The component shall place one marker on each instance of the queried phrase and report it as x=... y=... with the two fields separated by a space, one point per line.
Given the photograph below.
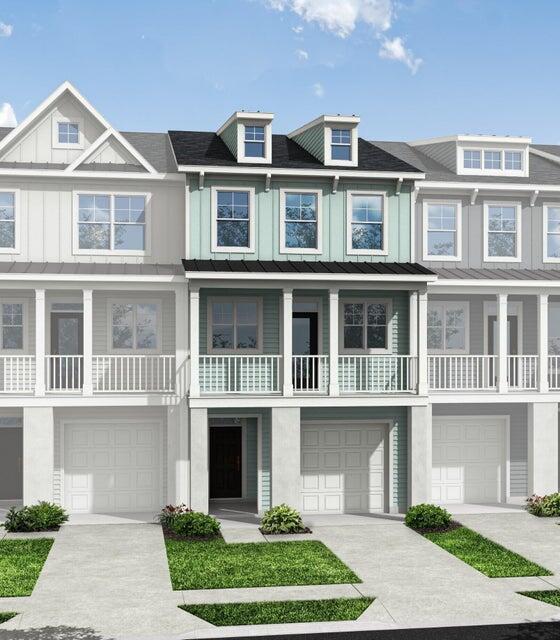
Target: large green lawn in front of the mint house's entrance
x=213 y=564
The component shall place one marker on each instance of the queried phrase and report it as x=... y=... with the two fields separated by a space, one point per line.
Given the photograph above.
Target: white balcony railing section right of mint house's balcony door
x=377 y=374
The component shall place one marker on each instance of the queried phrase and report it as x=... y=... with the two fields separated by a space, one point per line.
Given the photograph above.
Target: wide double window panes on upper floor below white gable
x=108 y=223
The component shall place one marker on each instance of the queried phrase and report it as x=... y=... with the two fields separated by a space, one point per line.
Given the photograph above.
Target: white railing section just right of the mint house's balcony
x=462 y=373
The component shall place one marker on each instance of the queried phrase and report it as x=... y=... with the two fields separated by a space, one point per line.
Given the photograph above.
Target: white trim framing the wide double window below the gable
x=112 y=252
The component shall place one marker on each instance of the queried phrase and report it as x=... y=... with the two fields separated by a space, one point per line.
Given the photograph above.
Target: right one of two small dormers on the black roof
x=331 y=139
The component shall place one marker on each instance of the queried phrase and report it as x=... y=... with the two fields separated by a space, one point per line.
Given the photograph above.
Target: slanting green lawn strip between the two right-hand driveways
x=485 y=555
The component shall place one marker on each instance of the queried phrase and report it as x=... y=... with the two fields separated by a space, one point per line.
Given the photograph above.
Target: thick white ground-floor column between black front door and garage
x=285 y=457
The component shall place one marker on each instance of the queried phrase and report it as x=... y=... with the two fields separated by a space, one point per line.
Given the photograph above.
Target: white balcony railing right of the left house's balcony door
x=133 y=374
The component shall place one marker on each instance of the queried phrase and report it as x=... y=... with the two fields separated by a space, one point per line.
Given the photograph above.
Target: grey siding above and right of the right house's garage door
x=518 y=435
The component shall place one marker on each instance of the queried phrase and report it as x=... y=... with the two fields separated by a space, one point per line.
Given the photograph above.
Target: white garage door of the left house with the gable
x=112 y=467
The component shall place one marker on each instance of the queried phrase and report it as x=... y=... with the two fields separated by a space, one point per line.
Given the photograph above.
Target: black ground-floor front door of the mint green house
x=225 y=462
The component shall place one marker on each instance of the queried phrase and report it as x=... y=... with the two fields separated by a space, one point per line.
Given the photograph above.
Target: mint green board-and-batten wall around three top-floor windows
x=267 y=219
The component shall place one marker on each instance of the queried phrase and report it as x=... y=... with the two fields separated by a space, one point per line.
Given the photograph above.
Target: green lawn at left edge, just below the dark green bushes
x=21 y=562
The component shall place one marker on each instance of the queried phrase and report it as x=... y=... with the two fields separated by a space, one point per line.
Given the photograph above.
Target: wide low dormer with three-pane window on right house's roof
x=480 y=155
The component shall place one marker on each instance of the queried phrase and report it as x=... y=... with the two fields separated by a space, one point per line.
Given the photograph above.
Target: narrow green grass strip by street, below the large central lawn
x=241 y=613
